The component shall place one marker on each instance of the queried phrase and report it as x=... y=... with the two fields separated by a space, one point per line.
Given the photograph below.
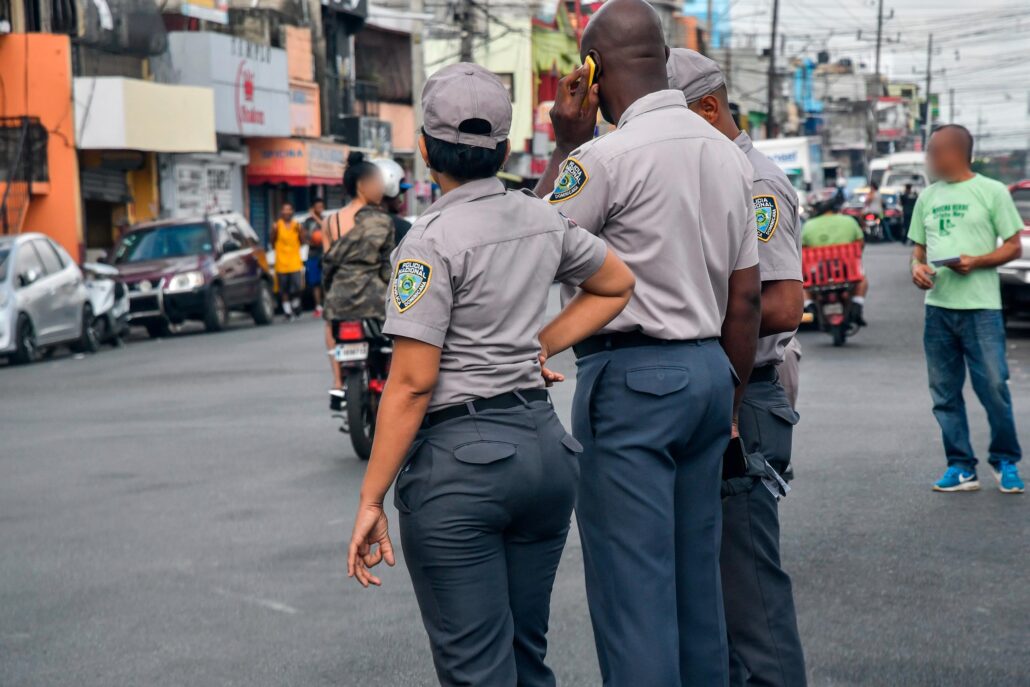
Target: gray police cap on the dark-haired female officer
x=466 y=92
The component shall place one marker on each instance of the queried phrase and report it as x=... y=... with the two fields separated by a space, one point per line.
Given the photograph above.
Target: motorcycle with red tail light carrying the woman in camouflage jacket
x=364 y=355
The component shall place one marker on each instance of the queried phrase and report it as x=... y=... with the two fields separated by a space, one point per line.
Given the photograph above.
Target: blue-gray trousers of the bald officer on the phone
x=655 y=423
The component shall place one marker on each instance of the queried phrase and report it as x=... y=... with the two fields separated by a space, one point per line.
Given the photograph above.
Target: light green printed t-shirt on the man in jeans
x=965 y=219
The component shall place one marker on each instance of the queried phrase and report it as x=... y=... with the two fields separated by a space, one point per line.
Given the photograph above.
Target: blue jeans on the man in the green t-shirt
x=955 y=339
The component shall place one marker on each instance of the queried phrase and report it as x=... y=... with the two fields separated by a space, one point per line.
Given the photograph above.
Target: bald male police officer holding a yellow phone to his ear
x=655 y=403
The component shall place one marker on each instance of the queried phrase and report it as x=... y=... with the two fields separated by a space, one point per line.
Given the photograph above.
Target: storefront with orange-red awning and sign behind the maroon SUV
x=293 y=170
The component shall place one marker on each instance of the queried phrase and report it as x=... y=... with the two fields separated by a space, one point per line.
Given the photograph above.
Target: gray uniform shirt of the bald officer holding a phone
x=672 y=197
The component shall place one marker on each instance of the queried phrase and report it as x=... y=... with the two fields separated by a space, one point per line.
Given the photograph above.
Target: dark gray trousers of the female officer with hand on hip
x=486 y=505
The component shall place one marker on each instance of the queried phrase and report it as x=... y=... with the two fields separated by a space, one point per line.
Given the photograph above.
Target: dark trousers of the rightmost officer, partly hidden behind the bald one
x=765 y=646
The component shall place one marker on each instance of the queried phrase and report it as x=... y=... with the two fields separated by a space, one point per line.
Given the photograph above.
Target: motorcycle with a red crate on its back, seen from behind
x=832 y=276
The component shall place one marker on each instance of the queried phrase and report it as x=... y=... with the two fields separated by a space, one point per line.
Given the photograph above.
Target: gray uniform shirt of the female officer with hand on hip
x=472 y=278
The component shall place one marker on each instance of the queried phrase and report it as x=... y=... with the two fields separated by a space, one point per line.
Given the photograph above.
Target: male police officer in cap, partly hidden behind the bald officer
x=764 y=641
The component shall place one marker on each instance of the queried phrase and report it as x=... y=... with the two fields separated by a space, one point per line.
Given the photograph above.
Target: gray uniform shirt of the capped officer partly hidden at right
x=779 y=229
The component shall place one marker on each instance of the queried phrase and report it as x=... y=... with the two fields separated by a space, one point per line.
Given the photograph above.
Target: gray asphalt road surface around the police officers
x=175 y=514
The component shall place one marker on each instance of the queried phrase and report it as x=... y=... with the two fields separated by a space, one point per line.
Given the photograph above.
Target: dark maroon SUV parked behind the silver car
x=194 y=269
